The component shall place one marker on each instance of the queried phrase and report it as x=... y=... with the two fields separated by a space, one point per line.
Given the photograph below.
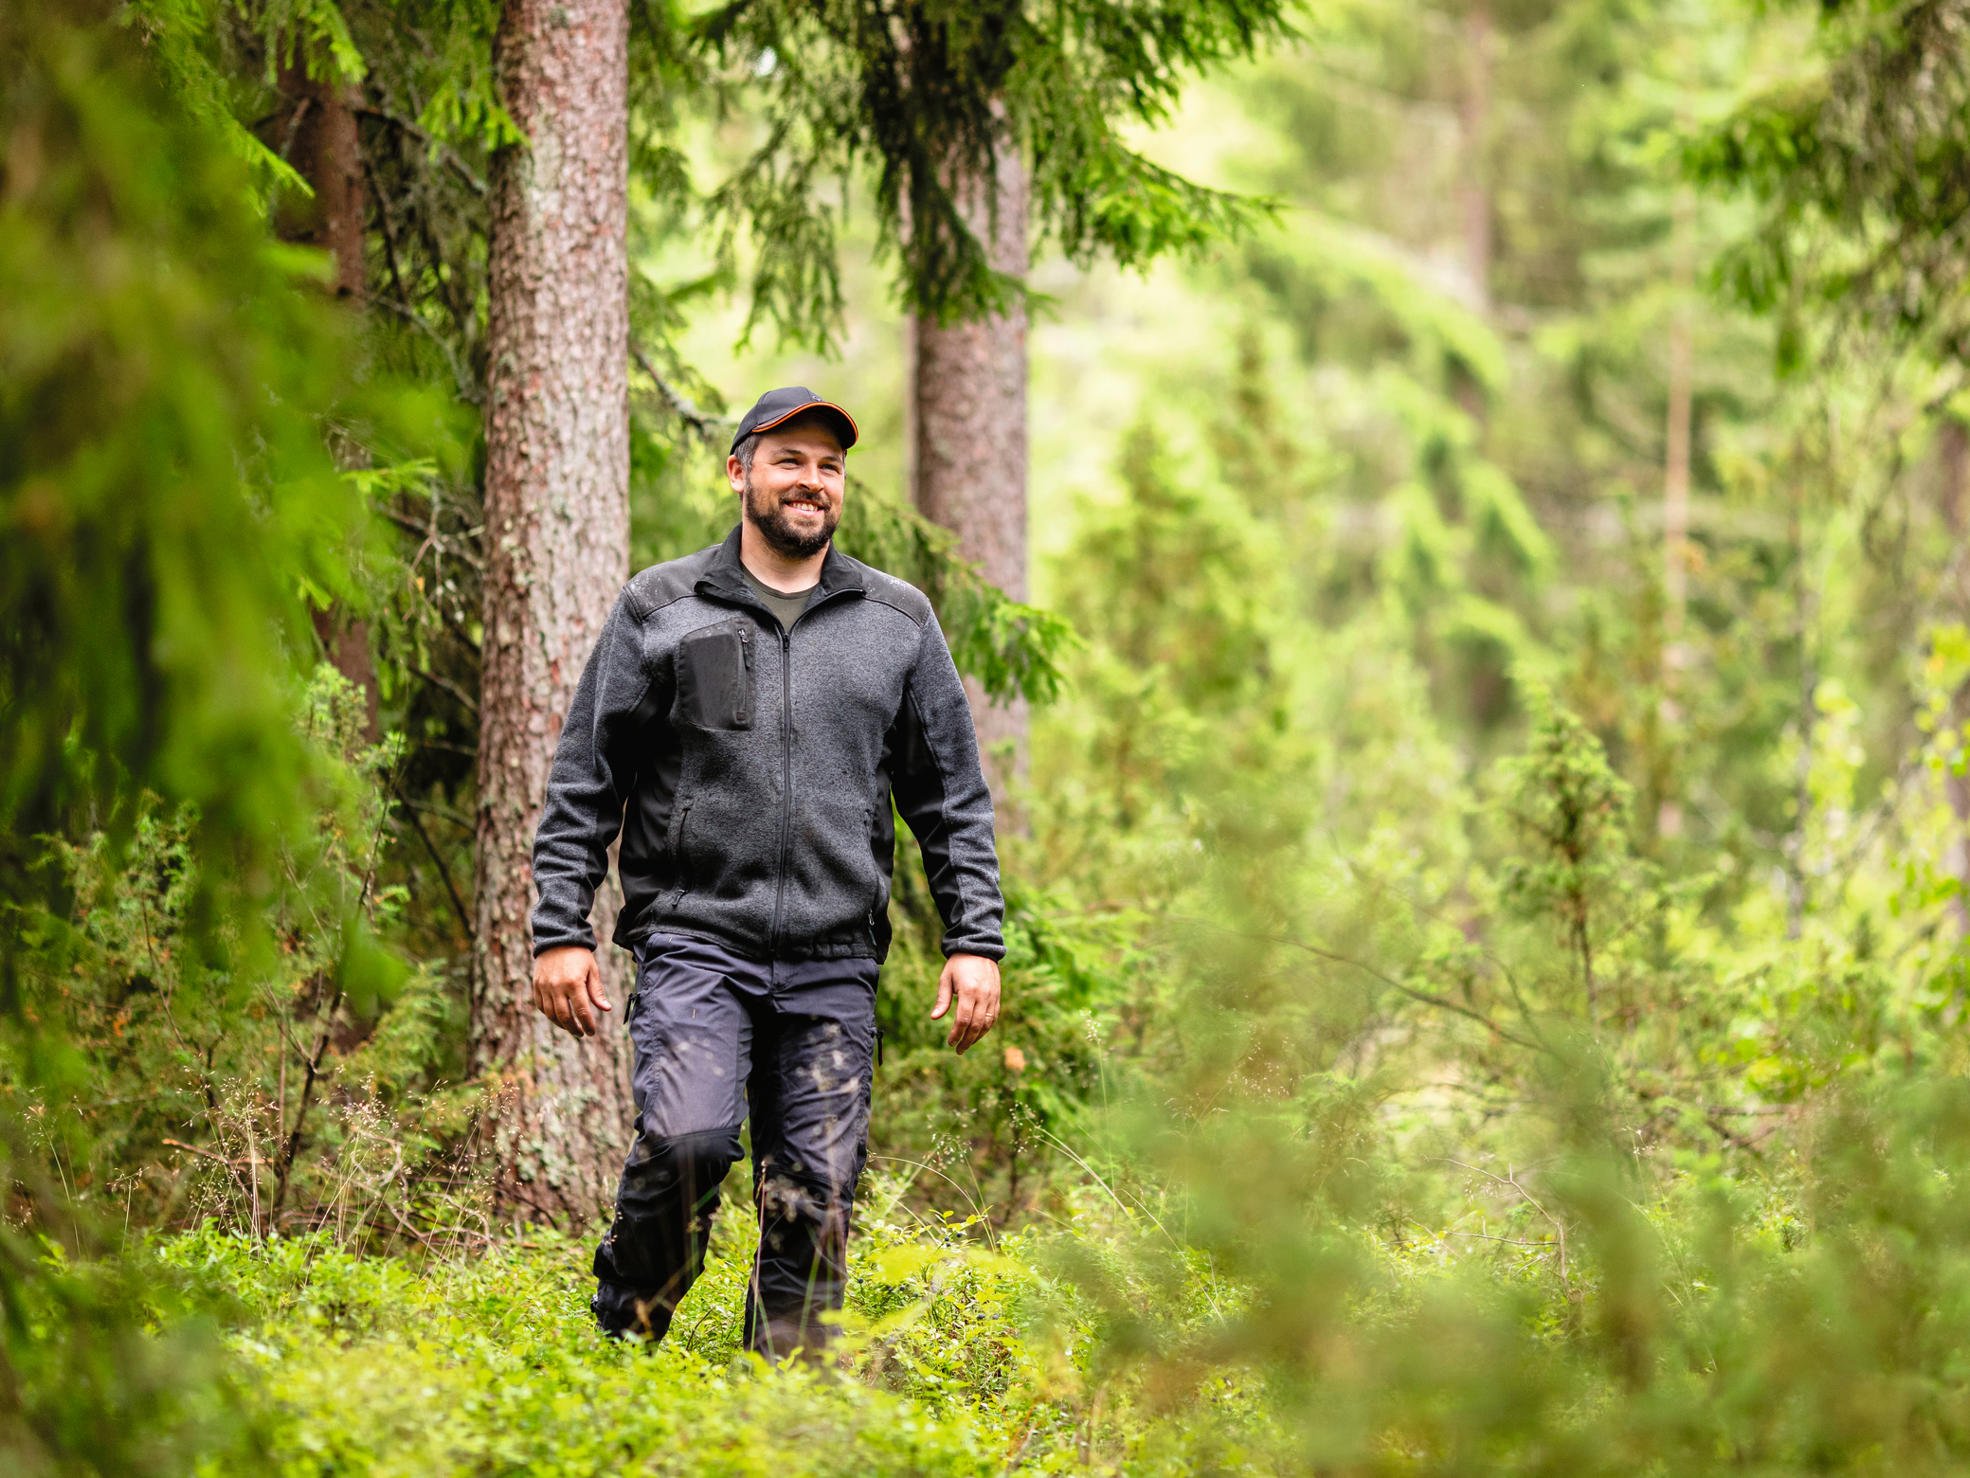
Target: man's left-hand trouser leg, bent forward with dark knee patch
x=692 y=1036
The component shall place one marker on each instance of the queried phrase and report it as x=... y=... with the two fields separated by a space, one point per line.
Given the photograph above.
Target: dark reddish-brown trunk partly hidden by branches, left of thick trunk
x=324 y=147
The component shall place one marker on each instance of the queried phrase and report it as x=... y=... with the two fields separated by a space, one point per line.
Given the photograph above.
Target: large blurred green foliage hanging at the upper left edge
x=164 y=486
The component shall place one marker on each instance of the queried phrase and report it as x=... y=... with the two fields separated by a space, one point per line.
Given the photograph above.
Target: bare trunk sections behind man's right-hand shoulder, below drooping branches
x=968 y=421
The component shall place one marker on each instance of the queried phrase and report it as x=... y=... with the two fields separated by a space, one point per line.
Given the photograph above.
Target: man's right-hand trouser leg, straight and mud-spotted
x=813 y=1061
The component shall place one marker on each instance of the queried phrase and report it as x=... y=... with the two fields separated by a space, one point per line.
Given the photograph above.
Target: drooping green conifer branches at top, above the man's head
x=937 y=94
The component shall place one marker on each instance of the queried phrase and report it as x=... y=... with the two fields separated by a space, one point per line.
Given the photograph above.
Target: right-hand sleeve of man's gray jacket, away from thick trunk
x=941 y=791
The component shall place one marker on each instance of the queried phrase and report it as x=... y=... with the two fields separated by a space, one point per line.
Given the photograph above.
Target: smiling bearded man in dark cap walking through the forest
x=746 y=720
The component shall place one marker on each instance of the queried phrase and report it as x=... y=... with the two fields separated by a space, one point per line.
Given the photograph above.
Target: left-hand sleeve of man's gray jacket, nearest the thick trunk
x=592 y=775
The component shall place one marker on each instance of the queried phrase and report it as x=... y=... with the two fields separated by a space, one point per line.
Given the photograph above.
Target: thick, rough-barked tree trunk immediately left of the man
x=557 y=505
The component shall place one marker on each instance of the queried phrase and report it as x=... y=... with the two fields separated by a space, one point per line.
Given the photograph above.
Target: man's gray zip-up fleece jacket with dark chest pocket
x=752 y=770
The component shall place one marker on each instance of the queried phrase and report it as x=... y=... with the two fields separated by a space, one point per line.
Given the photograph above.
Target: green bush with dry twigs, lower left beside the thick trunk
x=208 y=1085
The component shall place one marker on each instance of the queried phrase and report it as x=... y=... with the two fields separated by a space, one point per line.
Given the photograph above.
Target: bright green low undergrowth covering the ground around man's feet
x=954 y=1359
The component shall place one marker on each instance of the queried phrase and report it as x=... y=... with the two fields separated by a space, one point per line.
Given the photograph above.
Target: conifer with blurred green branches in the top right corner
x=1861 y=163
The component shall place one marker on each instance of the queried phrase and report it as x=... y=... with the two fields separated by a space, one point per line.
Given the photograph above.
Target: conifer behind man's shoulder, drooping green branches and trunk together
x=988 y=129
